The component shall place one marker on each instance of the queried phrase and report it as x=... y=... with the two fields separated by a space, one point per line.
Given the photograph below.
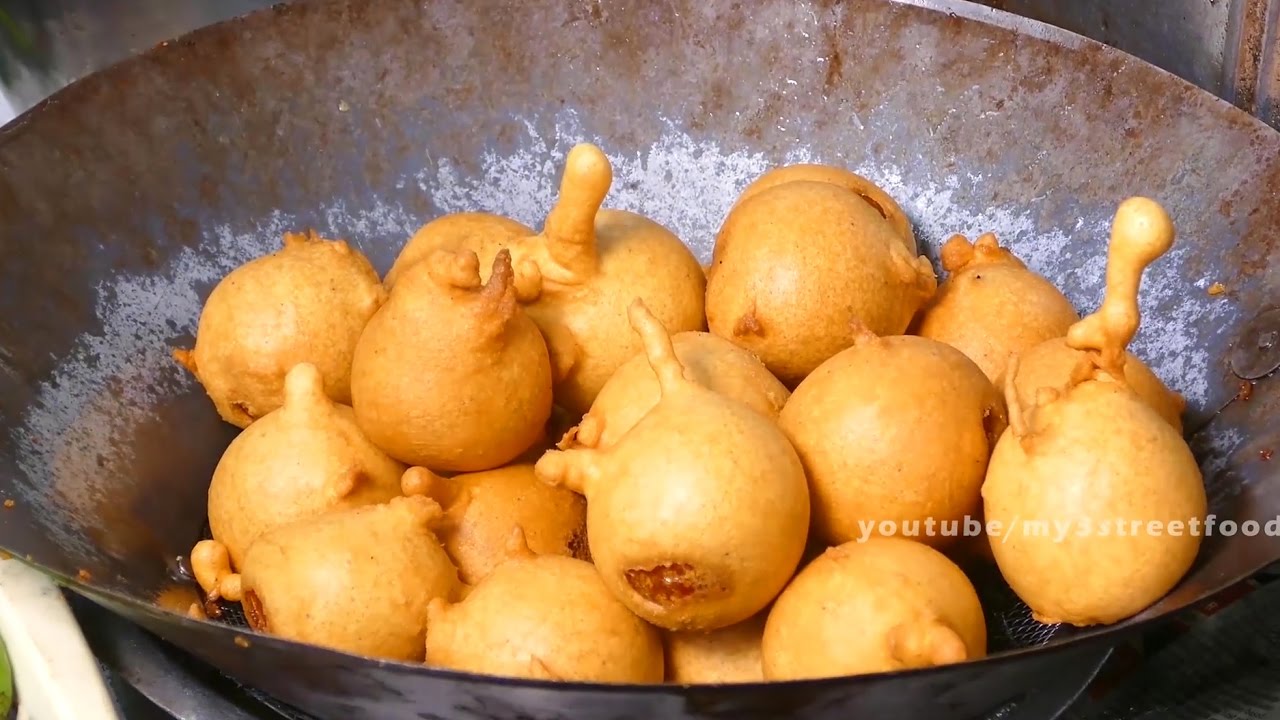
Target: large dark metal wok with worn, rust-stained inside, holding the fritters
x=127 y=195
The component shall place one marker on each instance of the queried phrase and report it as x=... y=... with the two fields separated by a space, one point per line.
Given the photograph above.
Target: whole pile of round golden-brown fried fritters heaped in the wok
x=577 y=454
